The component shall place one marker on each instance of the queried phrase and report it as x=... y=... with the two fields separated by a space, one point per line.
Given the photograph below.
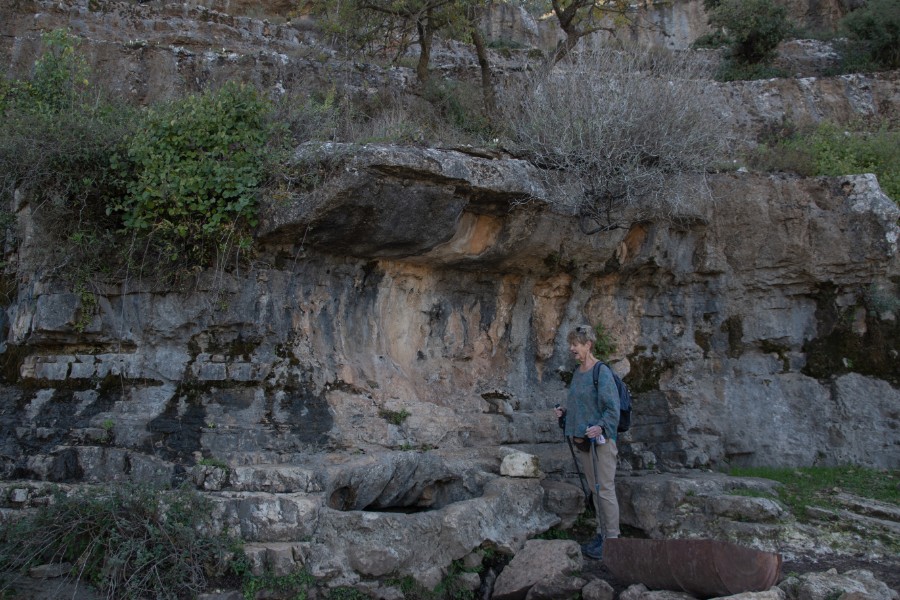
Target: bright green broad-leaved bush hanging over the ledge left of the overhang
x=192 y=171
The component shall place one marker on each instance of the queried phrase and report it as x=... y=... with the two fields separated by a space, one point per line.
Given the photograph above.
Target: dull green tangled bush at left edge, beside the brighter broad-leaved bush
x=57 y=135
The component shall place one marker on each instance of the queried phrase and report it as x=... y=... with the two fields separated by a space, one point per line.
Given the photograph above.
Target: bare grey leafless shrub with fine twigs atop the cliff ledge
x=620 y=134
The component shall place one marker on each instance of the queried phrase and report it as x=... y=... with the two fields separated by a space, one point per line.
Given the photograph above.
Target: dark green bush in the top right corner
x=875 y=31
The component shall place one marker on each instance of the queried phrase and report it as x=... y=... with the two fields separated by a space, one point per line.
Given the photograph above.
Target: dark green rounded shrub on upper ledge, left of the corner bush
x=752 y=28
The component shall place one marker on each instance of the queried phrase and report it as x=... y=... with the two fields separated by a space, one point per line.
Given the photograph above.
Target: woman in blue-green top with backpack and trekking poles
x=591 y=421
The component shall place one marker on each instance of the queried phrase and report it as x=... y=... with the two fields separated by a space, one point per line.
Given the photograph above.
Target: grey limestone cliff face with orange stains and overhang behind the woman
x=441 y=286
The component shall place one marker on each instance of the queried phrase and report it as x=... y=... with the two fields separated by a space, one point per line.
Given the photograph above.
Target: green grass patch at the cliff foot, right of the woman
x=817 y=486
